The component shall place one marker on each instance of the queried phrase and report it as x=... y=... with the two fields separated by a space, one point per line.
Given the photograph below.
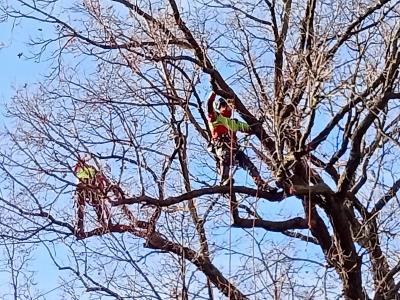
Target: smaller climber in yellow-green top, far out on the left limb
x=92 y=189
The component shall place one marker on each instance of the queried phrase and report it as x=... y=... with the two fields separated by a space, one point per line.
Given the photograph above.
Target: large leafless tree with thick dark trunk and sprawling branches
x=317 y=81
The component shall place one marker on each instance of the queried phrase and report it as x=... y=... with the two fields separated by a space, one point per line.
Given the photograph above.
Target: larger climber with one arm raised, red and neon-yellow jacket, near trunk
x=223 y=131
